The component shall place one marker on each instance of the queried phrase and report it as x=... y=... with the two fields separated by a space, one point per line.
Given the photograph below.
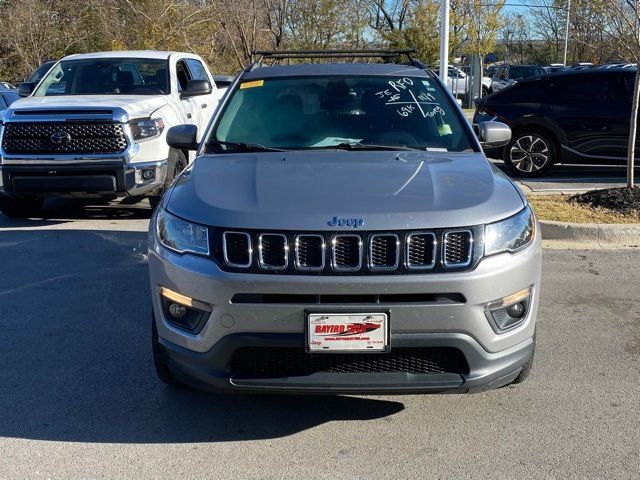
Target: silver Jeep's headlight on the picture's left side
x=181 y=236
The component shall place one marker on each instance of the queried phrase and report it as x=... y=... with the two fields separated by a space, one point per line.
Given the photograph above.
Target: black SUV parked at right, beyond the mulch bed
x=568 y=117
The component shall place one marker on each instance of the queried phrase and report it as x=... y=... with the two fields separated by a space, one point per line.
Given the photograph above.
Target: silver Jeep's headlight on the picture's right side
x=510 y=235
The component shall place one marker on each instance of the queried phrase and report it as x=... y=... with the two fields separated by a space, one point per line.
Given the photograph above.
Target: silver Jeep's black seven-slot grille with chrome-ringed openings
x=337 y=253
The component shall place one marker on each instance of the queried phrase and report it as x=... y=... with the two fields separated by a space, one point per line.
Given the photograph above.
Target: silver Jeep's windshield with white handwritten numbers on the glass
x=334 y=112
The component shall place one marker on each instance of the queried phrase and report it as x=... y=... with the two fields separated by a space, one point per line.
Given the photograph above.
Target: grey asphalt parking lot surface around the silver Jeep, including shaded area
x=79 y=397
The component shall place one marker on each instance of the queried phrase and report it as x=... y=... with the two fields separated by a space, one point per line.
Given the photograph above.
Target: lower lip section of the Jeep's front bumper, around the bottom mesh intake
x=210 y=370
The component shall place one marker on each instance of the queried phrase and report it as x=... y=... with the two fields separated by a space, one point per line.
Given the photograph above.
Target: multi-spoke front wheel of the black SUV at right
x=530 y=153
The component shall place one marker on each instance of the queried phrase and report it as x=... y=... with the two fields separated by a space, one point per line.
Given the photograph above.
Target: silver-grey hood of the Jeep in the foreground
x=303 y=190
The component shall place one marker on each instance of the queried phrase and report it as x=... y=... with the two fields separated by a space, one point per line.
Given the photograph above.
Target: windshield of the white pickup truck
x=106 y=76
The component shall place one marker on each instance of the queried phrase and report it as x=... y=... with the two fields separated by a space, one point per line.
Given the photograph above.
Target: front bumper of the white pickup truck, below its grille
x=83 y=179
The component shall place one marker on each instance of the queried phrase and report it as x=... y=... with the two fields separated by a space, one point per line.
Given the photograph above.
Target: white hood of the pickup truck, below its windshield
x=134 y=105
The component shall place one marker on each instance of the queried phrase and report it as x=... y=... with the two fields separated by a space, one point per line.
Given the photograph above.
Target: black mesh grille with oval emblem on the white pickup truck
x=63 y=137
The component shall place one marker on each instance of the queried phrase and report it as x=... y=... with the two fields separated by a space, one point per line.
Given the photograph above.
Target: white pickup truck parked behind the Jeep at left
x=95 y=126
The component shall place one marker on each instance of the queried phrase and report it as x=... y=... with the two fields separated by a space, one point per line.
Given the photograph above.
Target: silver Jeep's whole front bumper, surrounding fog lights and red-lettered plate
x=203 y=359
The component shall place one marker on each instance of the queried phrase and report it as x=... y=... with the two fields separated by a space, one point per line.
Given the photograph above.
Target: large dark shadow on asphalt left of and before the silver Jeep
x=75 y=354
